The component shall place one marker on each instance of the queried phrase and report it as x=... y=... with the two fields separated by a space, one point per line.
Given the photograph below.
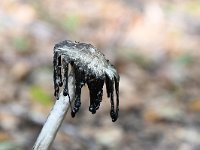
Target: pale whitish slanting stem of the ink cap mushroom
x=55 y=118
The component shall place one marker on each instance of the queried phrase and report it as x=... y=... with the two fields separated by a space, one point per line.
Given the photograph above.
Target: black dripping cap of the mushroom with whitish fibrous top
x=90 y=67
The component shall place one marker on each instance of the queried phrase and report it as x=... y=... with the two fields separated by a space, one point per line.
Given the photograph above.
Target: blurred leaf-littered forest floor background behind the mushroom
x=154 y=44
